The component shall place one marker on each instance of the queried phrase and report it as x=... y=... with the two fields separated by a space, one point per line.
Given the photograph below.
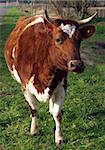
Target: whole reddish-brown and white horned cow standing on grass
x=40 y=52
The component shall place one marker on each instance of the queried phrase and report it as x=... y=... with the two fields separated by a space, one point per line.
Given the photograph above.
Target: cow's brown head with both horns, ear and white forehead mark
x=66 y=39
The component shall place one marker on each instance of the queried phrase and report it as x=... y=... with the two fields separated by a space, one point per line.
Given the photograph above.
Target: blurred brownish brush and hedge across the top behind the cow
x=63 y=8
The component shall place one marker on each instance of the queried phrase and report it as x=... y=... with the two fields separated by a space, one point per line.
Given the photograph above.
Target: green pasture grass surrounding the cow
x=83 y=114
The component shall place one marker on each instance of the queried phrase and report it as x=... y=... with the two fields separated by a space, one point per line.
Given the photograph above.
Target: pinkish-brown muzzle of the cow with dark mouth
x=76 y=66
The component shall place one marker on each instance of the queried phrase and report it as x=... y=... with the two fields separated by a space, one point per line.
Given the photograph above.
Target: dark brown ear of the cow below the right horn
x=87 y=31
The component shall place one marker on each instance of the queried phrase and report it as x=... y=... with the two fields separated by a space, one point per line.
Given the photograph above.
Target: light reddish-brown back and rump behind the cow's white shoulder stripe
x=14 y=37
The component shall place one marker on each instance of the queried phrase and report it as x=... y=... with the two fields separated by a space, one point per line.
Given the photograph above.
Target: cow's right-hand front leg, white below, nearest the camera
x=56 y=103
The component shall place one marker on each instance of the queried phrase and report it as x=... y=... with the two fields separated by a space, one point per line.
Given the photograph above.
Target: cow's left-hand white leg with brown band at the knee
x=32 y=102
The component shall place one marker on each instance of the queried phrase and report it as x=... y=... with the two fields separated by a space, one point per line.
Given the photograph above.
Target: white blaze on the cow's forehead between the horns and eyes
x=69 y=29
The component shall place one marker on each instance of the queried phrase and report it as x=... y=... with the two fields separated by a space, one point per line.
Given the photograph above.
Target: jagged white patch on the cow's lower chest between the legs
x=44 y=97
